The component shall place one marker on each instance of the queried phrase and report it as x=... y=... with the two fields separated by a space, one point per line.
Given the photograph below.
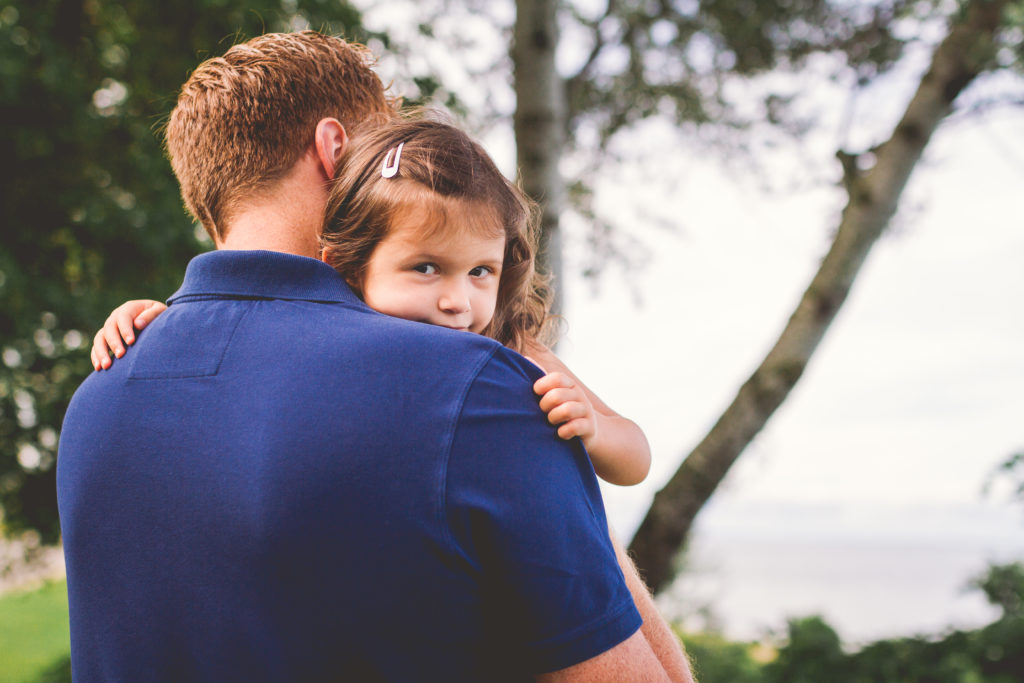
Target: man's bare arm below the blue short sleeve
x=654 y=654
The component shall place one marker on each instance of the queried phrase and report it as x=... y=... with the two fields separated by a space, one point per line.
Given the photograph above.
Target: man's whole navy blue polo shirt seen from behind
x=279 y=484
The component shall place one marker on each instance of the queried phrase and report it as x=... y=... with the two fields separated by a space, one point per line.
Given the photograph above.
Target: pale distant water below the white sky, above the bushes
x=891 y=572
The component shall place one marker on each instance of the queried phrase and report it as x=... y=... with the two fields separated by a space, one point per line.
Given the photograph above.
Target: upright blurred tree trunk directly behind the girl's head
x=540 y=124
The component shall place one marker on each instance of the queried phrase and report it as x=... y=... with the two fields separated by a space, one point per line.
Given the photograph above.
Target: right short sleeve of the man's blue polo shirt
x=526 y=511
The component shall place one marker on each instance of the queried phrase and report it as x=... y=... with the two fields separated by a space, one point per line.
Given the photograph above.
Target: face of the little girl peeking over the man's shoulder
x=442 y=275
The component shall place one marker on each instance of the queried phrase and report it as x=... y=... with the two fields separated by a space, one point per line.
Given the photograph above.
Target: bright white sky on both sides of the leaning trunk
x=916 y=393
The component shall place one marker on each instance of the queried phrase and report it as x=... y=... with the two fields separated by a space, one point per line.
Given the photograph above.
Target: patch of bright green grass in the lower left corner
x=34 y=634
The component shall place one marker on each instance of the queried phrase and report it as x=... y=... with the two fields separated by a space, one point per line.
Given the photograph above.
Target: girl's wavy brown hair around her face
x=438 y=161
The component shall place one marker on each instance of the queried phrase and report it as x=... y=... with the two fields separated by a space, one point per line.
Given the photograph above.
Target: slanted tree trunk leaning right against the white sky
x=873 y=200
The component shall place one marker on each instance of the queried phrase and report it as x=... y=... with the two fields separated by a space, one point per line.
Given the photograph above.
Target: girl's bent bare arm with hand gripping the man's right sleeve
x=617 y=446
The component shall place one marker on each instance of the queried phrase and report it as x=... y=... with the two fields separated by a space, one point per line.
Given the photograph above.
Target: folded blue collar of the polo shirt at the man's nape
x=263 y=275
